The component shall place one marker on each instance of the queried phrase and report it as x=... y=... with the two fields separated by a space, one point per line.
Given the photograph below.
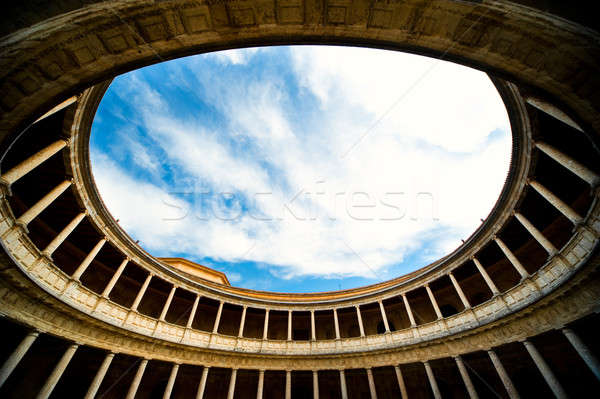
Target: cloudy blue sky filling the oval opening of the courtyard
x=303 y=168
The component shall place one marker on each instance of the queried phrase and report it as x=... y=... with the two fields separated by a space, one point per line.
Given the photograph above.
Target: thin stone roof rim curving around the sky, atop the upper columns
x=502 y=209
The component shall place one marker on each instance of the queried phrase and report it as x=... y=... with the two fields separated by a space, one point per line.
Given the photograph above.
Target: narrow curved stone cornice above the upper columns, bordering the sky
x=503 y=210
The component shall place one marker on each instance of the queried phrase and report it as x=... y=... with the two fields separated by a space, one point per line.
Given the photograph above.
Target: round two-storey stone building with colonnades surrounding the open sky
x=87 y=313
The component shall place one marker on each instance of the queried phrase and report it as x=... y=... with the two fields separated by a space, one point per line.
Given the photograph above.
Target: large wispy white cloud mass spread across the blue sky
x=429 y=158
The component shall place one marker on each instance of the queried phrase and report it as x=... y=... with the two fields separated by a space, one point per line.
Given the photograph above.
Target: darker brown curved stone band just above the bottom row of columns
x=572 y=300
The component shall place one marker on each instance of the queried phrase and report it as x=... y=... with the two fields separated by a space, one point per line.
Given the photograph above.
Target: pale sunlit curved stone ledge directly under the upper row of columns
x=550 y=276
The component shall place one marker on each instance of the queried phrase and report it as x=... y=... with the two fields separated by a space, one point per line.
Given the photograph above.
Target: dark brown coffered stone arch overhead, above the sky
x=57 y=57
